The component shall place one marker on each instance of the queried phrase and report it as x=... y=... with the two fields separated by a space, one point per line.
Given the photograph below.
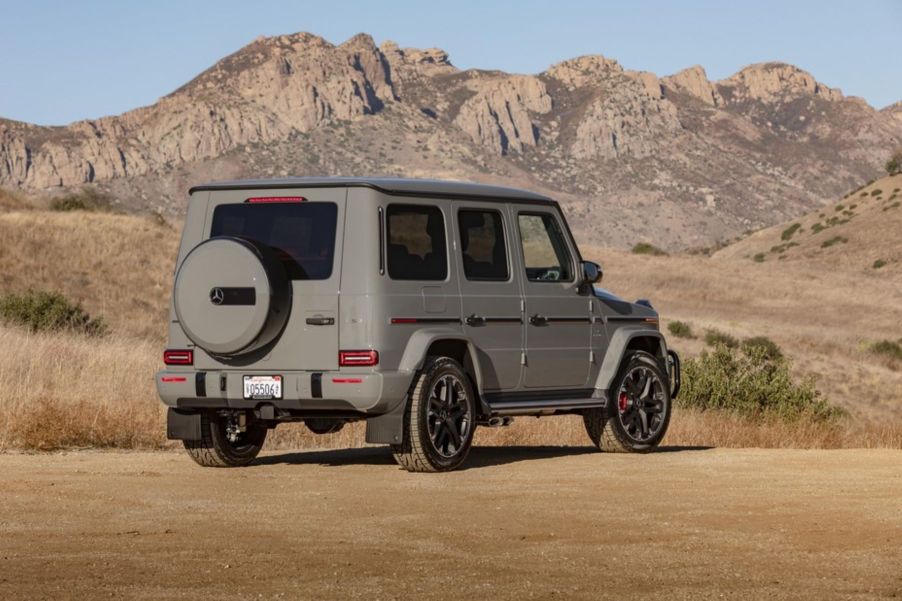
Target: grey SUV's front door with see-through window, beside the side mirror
x=558 y=324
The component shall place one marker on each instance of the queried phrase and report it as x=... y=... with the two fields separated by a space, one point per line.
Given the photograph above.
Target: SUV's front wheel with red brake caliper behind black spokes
x=639 y=417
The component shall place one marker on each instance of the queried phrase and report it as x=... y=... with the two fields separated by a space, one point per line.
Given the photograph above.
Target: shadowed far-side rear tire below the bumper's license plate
x=215 y=450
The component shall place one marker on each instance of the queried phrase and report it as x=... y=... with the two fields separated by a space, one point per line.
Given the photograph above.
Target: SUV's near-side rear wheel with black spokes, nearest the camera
x=439 y=420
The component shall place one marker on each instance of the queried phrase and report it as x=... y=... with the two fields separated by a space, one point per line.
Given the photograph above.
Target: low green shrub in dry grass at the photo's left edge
x=49 y=311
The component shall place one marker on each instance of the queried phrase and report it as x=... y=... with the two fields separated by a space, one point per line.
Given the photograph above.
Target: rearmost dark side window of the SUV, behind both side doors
x=417 y=249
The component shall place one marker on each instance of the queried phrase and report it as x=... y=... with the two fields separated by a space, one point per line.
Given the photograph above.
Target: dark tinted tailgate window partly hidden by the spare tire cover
x=302 y=234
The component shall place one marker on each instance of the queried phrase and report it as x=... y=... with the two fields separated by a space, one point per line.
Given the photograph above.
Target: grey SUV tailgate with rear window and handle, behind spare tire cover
x=305 y=227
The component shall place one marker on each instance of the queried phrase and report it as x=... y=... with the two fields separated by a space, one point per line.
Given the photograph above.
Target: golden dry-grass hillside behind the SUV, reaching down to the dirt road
x=824 y=308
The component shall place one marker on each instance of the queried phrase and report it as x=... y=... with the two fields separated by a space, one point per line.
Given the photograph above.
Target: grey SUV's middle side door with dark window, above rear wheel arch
x=491 y=298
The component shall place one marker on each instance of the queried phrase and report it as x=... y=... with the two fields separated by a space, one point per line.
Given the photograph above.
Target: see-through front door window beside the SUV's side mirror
x=545 y=253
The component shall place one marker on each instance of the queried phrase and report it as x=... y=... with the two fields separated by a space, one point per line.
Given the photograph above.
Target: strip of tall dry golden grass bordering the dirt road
x=68 y=391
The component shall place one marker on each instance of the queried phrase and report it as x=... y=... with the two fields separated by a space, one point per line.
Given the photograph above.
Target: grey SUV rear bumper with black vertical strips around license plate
x=371 y=393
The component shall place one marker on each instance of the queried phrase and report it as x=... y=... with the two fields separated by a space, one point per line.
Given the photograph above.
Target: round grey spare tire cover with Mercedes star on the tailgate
x=232 y=296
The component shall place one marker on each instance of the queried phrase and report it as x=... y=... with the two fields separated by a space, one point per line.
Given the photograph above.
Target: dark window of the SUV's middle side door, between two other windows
x=482 y=245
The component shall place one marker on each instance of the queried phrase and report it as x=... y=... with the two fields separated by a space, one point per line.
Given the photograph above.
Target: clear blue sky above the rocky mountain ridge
x=69 y=60
